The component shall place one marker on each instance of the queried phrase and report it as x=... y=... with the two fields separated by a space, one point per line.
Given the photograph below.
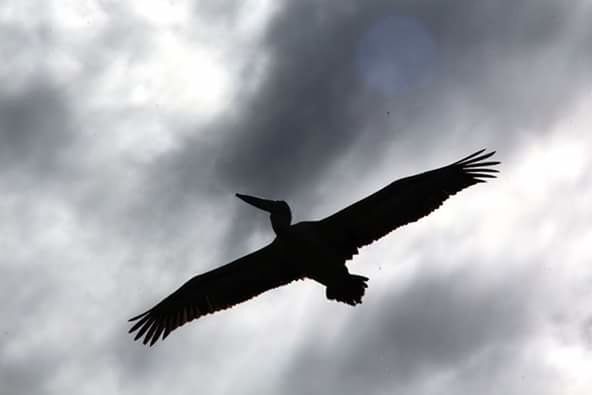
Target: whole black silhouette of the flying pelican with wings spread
x=314 y=250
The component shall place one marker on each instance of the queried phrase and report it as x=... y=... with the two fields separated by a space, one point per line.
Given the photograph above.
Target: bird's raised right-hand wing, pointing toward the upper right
x=404 y=201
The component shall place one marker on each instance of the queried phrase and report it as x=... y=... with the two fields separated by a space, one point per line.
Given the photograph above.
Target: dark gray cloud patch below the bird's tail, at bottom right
x=440 y=322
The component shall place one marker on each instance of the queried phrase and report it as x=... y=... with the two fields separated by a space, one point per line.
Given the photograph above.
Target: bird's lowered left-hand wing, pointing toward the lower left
x=217 y=290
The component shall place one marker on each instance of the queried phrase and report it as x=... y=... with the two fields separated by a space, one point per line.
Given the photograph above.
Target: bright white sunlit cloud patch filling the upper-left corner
x=157 y=60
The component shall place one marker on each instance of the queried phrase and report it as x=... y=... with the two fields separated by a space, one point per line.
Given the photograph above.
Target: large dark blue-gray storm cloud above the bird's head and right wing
x=497 y=68
